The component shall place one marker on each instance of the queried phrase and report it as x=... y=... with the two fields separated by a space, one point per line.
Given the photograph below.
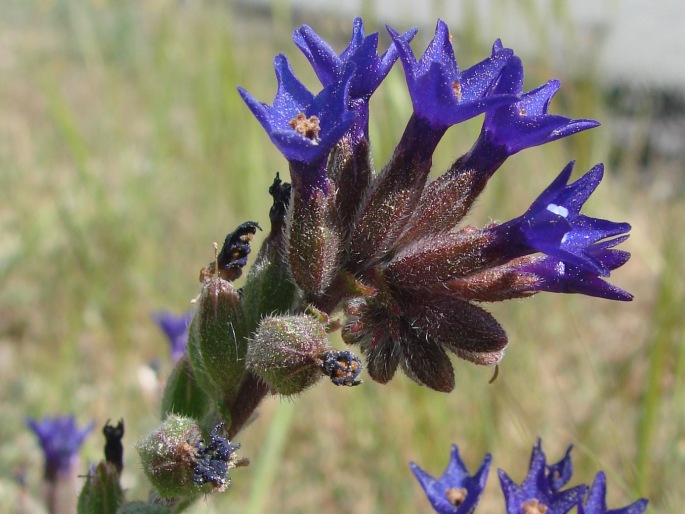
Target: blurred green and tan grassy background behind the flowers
x=125 y=151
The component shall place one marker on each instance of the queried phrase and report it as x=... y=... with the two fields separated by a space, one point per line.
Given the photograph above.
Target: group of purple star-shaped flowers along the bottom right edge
x=458 y=492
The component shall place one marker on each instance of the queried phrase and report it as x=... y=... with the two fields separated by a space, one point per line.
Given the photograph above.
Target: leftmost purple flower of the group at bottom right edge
x=456 y=491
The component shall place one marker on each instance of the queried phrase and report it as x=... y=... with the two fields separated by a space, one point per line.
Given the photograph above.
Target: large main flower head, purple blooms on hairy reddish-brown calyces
x=388 y=246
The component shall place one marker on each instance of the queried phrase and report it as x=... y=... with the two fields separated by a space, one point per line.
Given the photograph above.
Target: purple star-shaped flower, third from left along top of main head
x=443 y=94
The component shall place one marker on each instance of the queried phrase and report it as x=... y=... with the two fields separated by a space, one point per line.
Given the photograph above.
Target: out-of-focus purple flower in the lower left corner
x=60 y=439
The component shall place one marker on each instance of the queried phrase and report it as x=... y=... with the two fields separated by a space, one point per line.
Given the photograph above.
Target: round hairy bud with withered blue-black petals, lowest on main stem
x=178 y=462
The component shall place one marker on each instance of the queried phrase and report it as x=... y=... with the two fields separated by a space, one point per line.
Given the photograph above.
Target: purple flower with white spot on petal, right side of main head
x=554 y=226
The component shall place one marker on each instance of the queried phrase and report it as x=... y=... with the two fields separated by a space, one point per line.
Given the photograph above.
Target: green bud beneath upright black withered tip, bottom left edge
x=102 y=491
